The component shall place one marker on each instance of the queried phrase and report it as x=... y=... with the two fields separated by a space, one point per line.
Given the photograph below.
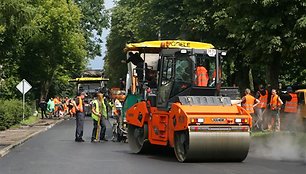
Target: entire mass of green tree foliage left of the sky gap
x=47 y=42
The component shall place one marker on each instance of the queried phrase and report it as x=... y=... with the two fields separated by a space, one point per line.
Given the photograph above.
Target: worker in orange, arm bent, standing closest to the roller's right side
x=249 y=103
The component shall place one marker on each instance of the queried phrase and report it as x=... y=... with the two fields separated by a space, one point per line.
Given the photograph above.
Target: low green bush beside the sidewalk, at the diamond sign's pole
x=11 y=113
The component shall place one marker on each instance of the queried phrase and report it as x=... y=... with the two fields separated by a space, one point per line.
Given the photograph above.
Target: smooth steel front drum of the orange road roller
x=229 y=146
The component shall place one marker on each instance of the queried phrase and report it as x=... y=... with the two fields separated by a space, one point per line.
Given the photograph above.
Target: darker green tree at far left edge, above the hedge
x=15 y=17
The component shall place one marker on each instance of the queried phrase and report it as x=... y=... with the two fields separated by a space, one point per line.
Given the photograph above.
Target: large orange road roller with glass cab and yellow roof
x=187 y=108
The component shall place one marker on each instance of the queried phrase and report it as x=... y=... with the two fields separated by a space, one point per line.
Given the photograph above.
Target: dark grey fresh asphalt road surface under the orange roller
x=55 y=152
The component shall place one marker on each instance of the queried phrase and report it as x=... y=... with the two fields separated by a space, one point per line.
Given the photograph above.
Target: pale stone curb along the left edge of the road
x=7 y=149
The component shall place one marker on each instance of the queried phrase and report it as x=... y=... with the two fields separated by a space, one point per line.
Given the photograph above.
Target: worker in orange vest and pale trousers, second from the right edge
x=275 y=106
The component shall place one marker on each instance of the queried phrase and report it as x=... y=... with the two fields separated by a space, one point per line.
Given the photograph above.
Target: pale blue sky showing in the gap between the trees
x=98 y=62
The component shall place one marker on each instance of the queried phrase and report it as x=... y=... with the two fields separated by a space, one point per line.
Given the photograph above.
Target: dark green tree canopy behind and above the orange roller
x=264 y=38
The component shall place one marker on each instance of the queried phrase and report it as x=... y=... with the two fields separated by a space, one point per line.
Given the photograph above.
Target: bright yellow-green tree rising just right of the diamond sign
x=56 y=45
